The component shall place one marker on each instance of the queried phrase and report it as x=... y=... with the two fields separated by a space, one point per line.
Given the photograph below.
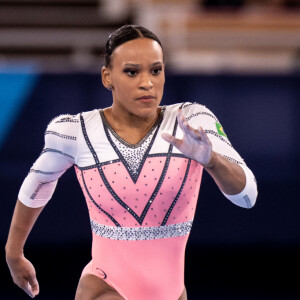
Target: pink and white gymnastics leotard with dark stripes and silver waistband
x=141 y=198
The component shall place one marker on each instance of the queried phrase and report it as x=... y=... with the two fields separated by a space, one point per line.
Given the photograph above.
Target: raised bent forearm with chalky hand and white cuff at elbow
x=235 y=181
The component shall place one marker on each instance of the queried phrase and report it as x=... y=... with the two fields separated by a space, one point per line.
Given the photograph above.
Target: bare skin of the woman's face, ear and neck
x=137 y=70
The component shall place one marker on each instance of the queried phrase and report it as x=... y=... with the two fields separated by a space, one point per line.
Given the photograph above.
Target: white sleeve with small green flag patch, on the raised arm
x=198 y=115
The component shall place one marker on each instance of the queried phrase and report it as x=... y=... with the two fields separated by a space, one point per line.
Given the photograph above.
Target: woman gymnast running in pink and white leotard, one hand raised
x=139 y=165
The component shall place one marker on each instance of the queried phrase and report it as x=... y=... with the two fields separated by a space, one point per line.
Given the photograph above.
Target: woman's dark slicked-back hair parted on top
x=124 y=34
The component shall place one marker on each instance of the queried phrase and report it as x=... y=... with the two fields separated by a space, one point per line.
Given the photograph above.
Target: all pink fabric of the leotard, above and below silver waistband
x=142 y=269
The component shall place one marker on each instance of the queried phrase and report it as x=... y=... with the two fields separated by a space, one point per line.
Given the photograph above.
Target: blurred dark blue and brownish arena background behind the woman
x=240 y=58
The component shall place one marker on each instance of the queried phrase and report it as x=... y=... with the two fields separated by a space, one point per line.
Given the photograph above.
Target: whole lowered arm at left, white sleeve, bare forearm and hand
x=37 y=189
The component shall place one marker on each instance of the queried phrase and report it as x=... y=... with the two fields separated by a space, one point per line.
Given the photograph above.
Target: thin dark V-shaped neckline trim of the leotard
x=139 y=143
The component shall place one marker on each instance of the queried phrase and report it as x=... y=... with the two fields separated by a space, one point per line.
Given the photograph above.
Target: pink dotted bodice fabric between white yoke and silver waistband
x=136 y=195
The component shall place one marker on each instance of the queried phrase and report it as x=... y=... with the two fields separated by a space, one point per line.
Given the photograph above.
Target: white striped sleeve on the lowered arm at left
x=59 y=154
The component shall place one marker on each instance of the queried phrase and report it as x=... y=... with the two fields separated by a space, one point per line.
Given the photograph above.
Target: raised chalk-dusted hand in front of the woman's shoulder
x=195 y=144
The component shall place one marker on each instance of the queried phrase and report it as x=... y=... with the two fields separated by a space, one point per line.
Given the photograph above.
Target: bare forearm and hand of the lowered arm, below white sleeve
x=21 y=269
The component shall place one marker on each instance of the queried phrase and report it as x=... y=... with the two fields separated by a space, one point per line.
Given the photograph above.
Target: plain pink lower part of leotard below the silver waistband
x=140 y=269
